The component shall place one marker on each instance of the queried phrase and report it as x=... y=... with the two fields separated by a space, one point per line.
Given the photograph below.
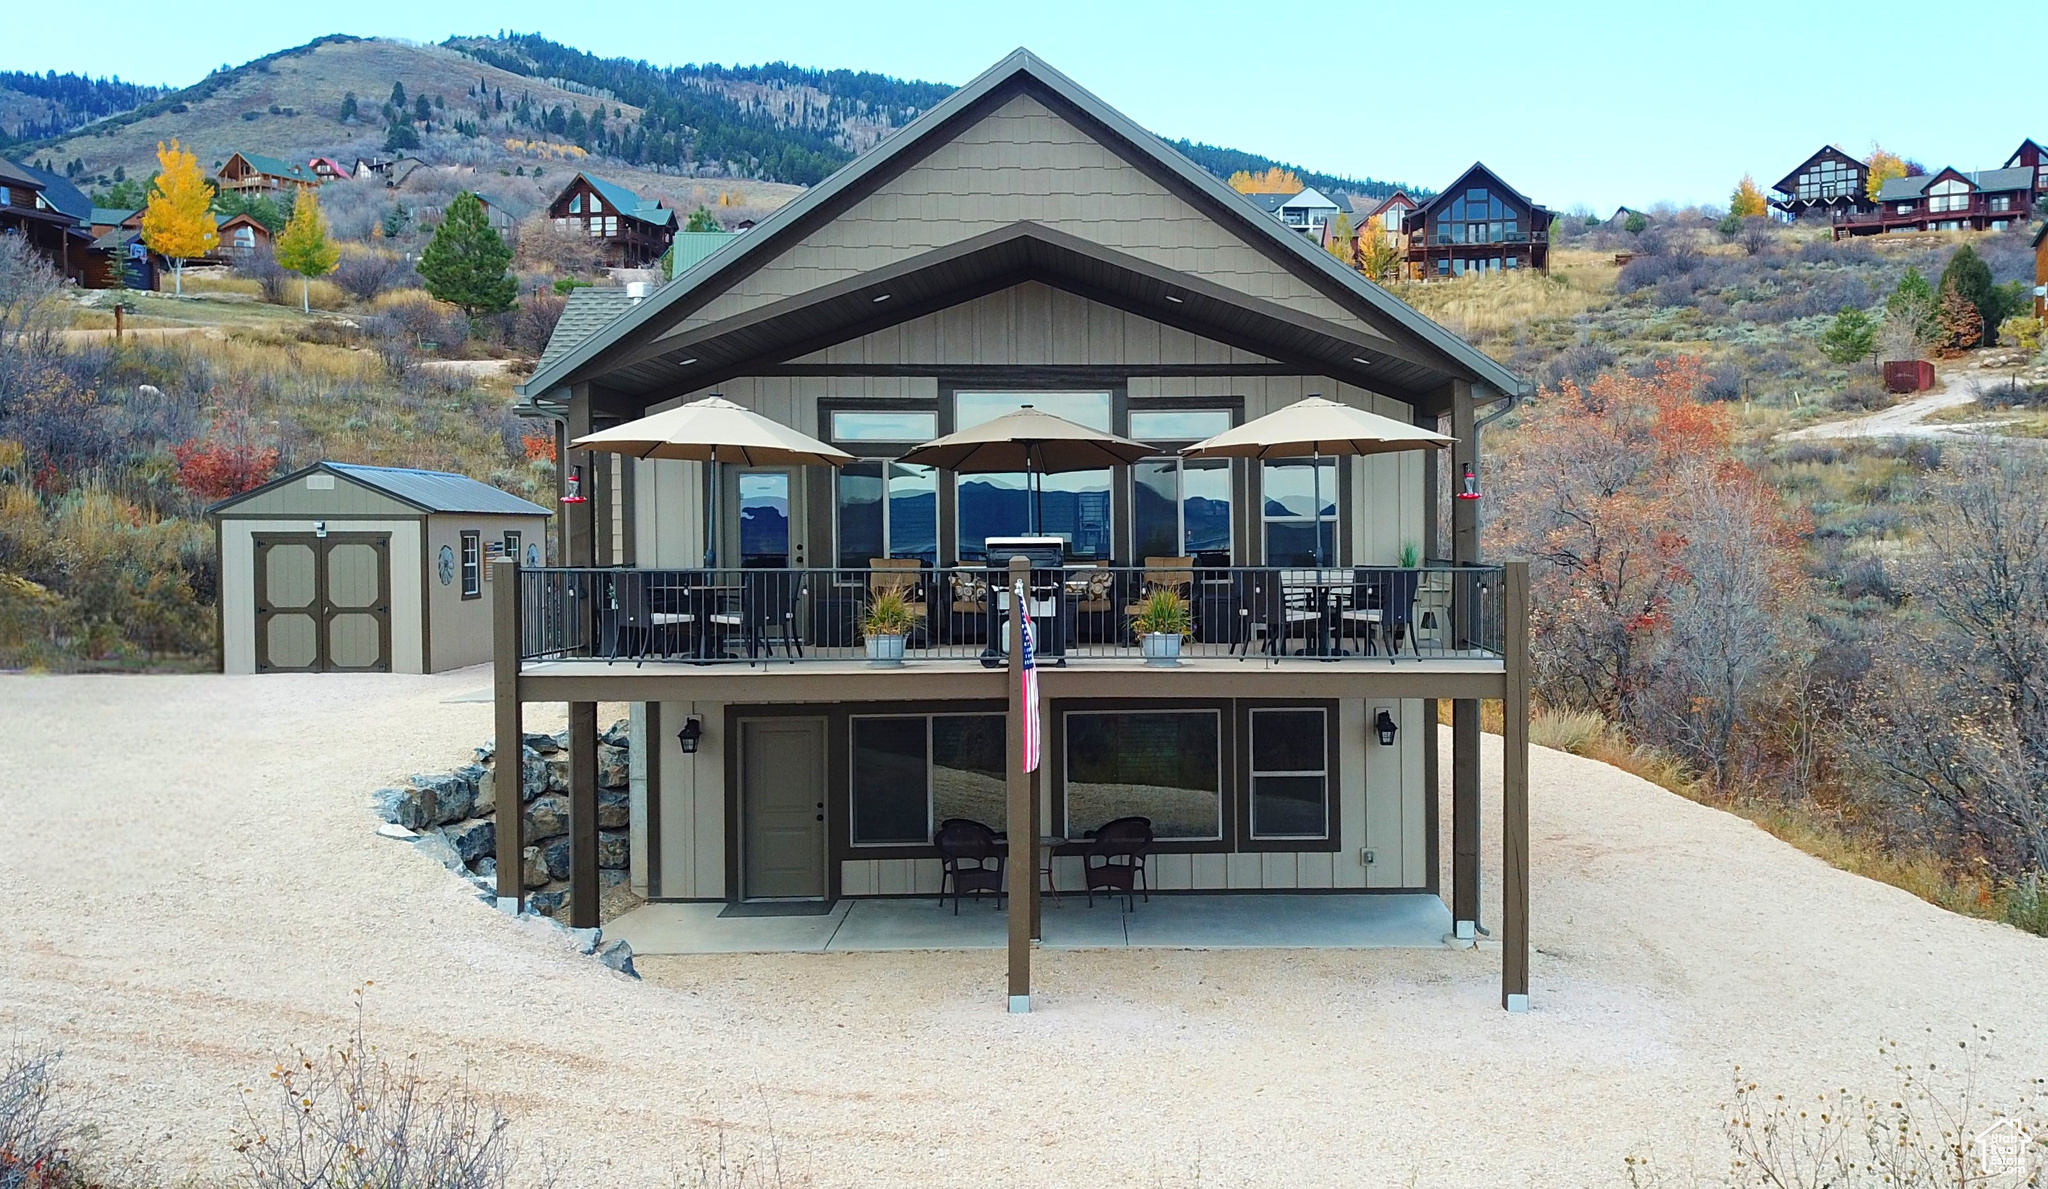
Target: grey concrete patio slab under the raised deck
x=1170 y=922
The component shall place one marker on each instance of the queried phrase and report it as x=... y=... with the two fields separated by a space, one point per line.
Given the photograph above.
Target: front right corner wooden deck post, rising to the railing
x=1517 y=793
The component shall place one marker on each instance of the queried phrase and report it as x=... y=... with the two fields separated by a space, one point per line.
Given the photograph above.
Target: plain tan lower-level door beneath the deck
x=783 y=809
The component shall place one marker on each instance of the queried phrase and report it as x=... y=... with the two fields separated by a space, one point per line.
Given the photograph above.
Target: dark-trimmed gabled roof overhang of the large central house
x=1402 y=343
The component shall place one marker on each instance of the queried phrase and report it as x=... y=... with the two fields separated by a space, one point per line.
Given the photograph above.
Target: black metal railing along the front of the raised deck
x=714 y=617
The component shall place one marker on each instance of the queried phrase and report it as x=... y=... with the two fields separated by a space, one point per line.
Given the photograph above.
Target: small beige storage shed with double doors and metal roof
x=366 y=570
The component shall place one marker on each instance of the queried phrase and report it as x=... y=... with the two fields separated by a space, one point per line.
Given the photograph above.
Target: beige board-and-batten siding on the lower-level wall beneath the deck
x=1381 y=807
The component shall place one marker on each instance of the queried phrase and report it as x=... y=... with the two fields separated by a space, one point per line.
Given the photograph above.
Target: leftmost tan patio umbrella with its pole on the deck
x=716 y=431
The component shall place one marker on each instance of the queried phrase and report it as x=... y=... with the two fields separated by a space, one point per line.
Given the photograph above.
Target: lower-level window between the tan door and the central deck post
x=912 y=773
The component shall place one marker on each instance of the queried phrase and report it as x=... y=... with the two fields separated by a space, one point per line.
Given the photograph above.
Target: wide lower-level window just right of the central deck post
x=1158 y=764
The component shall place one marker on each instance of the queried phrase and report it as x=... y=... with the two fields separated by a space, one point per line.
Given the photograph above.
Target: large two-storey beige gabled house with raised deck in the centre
x=1007 y=251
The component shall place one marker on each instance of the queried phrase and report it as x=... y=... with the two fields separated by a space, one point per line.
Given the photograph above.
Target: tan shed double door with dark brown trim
x=325 y=603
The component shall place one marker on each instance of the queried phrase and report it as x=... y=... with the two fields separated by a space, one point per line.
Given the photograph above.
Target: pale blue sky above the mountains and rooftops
x=1584 y=103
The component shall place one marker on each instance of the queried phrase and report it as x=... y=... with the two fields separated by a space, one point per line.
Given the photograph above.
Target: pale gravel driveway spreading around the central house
x=191 y=885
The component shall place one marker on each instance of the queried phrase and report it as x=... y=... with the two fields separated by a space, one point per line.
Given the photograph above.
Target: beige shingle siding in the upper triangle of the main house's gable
x=1023 y=163
